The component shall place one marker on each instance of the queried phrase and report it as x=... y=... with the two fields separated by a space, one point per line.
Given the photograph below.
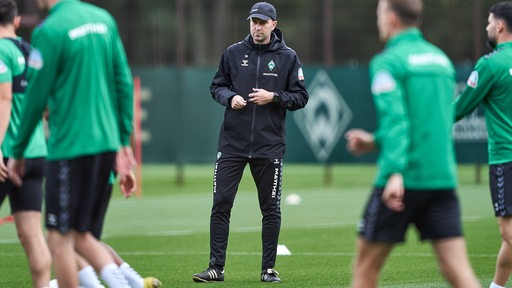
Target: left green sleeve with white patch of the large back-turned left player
x=42 y=72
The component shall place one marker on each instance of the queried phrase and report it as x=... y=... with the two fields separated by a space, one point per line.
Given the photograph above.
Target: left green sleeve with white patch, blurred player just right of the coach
x=392 y=135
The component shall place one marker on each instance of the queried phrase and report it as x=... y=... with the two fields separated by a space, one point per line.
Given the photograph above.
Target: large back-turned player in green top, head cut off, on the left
x=78 y=68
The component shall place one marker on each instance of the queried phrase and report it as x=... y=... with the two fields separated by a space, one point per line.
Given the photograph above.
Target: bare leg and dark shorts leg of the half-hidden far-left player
x=26 y=203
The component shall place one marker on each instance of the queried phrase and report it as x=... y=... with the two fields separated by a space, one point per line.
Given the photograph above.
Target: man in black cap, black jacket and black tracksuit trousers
x=258 y=79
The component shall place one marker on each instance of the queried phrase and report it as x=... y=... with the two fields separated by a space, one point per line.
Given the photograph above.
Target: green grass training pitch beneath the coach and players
x=164 y=233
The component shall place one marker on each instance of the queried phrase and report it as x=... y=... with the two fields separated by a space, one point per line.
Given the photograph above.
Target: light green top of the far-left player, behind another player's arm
x=12 y=63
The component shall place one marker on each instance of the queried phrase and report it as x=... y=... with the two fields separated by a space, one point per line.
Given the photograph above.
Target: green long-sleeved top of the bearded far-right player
x=491 y=84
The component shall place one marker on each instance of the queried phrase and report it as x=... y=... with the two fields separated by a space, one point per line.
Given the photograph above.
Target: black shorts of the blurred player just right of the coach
x=435 y=213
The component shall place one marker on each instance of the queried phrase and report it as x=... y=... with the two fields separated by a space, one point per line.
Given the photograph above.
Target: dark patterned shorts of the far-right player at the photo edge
x=500 y=185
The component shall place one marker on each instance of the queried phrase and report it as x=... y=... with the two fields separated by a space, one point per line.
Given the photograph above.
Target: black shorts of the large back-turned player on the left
x=75 y=191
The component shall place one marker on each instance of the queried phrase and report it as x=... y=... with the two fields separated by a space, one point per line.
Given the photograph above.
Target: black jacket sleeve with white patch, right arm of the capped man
x=296 y=96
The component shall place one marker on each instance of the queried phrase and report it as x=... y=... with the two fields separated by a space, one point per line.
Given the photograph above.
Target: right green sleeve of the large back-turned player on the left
x=124 y=90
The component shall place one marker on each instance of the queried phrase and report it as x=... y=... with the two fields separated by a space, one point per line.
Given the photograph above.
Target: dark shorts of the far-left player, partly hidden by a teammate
x=28 y=197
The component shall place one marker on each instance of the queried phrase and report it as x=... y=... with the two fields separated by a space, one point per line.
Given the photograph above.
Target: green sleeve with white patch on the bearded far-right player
x=477 y=86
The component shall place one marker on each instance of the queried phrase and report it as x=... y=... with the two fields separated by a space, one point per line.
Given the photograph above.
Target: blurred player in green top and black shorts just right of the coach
x=412 y=84
